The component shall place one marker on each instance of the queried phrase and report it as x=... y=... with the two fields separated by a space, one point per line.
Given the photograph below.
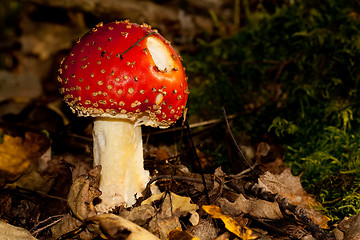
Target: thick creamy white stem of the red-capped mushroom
x=118 y=149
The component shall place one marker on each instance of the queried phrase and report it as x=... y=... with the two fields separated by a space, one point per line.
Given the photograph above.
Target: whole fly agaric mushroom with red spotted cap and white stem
x=124 y=75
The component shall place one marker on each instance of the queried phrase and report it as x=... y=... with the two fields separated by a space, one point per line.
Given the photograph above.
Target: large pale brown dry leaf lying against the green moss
x=290 y=187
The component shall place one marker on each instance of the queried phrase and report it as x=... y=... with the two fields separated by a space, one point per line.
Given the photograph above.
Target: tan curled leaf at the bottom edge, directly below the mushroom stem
x=110 y=226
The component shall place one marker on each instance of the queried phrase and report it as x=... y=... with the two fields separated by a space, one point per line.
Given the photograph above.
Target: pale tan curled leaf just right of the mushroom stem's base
x=172 y=208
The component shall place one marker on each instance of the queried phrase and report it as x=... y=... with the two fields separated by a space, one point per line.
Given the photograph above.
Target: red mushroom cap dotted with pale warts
x=125 y=70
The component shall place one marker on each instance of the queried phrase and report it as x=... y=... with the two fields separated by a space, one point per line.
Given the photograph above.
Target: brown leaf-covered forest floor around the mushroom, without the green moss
x=49 y=185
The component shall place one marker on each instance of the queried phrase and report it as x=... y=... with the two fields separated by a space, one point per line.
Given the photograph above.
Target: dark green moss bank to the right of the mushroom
x=294 y=75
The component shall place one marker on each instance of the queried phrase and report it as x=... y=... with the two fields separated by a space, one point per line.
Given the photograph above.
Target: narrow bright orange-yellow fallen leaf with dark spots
x=233 y=226
